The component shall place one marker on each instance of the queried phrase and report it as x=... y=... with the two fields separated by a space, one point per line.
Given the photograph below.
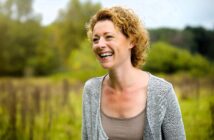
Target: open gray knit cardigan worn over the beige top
x=163 y=119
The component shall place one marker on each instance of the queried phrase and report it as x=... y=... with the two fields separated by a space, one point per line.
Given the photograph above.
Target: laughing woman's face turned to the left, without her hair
x=110 y=46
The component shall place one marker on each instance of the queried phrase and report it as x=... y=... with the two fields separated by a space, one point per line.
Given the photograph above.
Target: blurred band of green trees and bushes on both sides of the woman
x=27 y=48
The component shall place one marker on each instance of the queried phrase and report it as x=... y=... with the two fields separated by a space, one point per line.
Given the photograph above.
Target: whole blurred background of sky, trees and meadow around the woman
x=45 y=58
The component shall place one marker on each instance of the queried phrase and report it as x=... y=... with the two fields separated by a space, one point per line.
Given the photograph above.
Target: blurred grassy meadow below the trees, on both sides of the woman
x=50 y=108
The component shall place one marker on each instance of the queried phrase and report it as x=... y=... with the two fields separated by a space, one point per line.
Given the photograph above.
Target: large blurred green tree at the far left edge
x=24 y=43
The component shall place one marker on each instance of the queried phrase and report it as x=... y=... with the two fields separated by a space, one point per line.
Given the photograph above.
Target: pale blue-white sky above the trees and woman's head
x=153 y=13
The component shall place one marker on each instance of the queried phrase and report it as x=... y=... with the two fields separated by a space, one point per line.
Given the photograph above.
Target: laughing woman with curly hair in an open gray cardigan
x=127 y=103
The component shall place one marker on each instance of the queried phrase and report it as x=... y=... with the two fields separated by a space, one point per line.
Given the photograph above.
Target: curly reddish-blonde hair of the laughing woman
x=130 y=25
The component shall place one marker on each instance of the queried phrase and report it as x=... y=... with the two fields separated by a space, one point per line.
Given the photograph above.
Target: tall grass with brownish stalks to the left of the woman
x=39 y=110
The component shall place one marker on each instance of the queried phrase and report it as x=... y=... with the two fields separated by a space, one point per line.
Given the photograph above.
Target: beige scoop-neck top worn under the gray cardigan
x=124 y=129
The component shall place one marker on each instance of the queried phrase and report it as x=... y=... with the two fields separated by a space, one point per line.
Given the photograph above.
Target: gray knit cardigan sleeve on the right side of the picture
x=173 y=127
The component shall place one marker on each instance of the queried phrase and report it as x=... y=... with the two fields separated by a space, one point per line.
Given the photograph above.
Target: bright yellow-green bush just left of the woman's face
x=83 y=64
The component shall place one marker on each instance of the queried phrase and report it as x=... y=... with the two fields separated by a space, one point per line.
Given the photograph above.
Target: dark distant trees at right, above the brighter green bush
x=194 y=39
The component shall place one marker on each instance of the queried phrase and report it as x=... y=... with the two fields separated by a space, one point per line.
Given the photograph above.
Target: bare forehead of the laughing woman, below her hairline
x=104 y=26
